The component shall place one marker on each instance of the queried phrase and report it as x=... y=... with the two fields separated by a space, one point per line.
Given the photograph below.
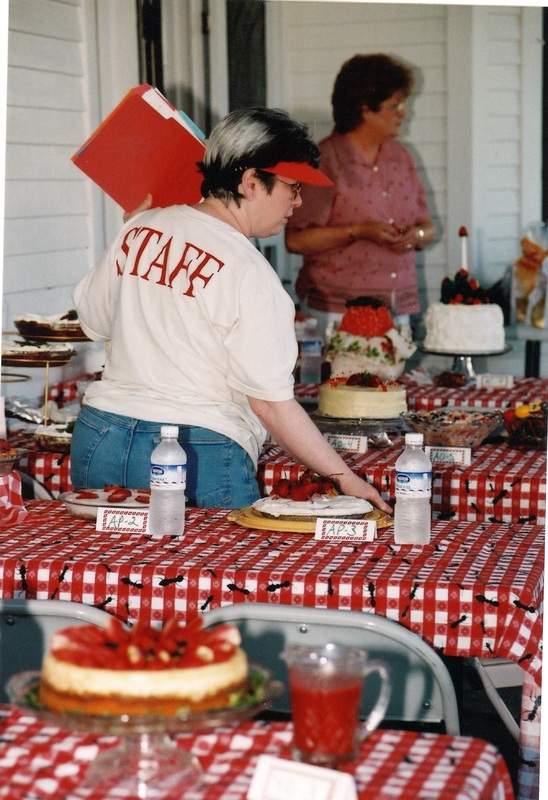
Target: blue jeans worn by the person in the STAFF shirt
x=113 y=450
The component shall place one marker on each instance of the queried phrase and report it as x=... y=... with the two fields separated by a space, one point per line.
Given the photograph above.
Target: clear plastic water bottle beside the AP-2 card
x=166 y=514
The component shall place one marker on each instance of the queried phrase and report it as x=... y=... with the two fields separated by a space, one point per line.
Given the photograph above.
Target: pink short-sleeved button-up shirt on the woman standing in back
x=391 y=190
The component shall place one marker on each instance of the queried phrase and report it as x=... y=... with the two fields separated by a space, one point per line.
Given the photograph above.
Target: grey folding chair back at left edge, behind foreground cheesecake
x=26 y=627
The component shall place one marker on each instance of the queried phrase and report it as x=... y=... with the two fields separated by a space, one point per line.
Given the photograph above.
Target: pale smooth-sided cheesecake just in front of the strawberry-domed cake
x=361 y=396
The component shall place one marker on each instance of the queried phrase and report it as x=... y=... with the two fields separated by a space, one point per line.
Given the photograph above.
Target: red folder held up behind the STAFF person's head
x=144 y=146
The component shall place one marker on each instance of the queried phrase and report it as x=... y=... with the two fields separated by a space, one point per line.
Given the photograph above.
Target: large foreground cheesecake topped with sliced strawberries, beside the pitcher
x=143 y=670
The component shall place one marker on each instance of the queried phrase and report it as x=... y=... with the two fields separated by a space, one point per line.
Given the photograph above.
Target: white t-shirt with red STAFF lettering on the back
x=196 y=318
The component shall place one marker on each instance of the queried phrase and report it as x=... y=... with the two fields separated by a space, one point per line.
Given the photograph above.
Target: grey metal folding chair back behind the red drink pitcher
x=422 y=689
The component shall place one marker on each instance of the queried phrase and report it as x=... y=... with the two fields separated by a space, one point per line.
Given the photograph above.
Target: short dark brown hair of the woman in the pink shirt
x=366 y=80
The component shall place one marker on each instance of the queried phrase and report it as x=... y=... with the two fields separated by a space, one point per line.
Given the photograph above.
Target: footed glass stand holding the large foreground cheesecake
x=147 y=764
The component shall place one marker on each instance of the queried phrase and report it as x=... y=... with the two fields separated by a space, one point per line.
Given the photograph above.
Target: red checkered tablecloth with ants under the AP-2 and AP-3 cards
x=477 y=589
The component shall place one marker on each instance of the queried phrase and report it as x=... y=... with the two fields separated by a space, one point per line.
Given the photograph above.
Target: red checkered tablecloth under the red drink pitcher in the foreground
x=40 y=760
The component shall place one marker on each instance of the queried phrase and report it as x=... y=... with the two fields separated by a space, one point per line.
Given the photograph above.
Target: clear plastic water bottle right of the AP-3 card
x=412 y=514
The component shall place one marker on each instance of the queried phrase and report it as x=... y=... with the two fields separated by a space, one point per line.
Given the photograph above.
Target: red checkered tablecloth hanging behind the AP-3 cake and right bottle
x=502 y=484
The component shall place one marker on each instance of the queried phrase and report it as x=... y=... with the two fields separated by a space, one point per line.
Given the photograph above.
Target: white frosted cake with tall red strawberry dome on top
x=368 y=341
